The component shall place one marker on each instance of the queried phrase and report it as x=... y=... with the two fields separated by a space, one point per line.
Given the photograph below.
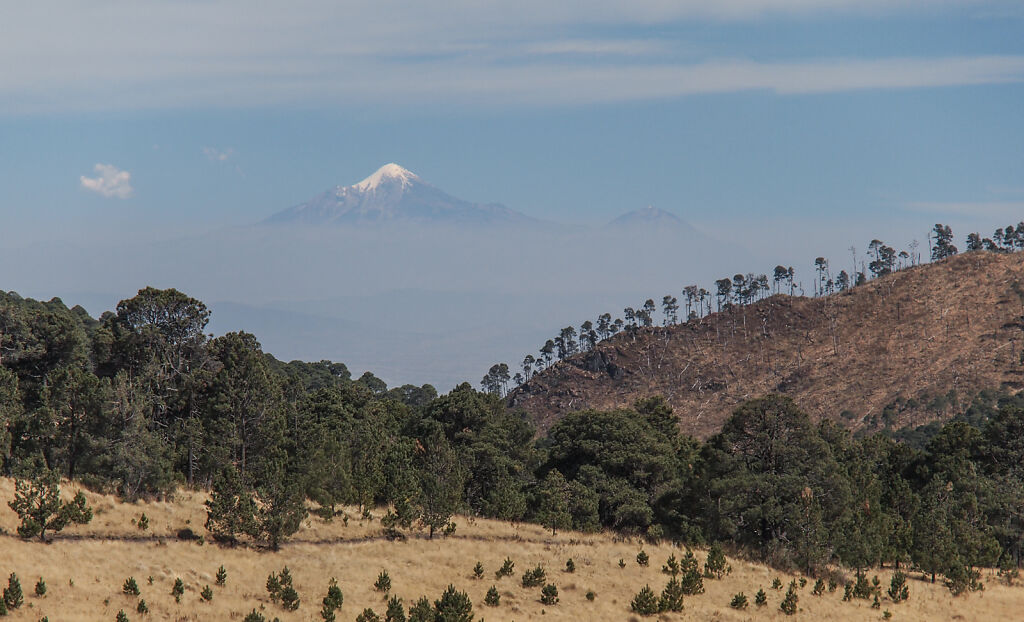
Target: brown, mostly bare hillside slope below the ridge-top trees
x=897 y=352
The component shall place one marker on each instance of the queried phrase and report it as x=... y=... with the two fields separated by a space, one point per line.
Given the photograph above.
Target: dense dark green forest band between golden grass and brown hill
x=143 y=401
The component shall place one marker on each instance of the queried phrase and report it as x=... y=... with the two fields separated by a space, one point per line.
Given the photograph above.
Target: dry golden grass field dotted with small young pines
x=87 y=566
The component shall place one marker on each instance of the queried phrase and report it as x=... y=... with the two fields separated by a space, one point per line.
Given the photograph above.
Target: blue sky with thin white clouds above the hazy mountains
x=787 y=128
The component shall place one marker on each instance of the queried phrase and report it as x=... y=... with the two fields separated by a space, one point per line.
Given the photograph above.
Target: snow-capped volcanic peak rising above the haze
x=395 y=195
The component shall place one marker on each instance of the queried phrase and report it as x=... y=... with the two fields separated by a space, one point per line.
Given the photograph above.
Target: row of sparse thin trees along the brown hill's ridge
x=741 y=291
